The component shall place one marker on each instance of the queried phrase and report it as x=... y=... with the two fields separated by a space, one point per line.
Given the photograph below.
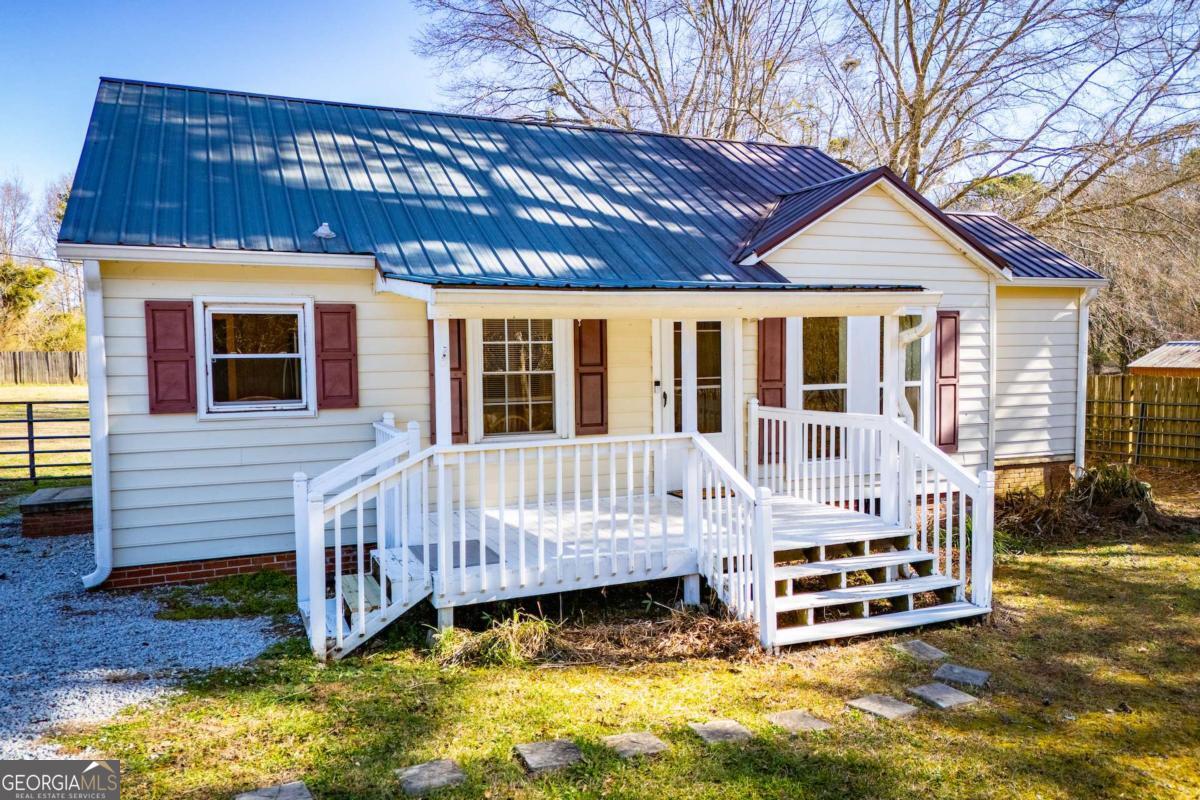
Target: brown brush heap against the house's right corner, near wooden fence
x=1103 y=500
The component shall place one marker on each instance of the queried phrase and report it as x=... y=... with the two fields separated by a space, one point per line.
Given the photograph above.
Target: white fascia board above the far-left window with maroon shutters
x=209 y=256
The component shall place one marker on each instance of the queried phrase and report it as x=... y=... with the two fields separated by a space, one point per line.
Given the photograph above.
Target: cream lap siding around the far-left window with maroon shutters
x=184 y=489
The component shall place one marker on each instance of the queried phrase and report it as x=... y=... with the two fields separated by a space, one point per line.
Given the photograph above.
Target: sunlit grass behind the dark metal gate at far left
x=14 y=465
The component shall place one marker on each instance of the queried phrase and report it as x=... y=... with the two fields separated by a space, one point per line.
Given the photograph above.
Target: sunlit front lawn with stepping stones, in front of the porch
x=1095 y=654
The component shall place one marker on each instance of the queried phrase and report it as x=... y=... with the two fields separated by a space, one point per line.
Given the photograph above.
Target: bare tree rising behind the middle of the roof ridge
x=727 y=69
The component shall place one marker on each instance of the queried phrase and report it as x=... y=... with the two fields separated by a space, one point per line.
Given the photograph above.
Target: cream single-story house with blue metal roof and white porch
x=434 y=356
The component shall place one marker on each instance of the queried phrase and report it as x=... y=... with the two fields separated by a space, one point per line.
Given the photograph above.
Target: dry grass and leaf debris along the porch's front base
x=675 y=636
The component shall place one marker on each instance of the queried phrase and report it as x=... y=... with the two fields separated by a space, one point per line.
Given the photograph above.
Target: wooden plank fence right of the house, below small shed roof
x=1144 y=420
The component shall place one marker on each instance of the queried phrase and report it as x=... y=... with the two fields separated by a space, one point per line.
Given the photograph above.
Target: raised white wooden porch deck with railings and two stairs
x=854 y=526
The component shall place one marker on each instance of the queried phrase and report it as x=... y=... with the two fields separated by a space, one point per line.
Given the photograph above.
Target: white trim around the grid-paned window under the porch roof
x=563 y=339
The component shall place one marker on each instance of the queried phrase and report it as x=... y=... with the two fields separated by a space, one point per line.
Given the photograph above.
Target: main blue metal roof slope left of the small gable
x=441 y=199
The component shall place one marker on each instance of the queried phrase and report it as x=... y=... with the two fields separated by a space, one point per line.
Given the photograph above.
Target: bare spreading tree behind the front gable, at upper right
x=956 y=94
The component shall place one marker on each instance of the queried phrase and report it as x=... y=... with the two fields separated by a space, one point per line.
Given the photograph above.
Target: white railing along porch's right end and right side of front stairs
x=880 y=467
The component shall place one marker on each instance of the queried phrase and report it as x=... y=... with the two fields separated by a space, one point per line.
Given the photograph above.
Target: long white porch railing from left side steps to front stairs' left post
x=478 y=524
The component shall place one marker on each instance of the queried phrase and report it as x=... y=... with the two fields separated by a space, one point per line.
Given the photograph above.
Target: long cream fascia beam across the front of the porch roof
x=616 y=304
